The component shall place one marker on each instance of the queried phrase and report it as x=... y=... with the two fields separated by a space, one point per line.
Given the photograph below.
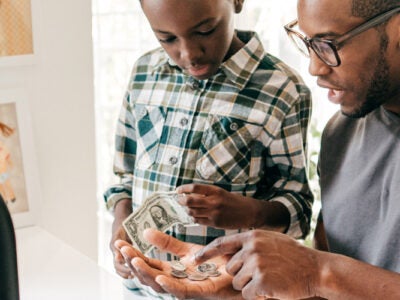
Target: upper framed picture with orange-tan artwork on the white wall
x=16 y=32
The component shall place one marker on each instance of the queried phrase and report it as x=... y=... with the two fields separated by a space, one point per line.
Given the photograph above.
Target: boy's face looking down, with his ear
x=198 y=35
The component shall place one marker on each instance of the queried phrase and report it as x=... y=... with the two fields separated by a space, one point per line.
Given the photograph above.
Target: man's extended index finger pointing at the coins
x=226 y=245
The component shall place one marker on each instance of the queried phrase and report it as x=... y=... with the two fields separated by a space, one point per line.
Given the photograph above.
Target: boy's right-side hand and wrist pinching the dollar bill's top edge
x=213 y=206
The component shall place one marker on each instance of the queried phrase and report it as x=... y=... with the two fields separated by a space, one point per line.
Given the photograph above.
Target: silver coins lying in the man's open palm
x=202 y=272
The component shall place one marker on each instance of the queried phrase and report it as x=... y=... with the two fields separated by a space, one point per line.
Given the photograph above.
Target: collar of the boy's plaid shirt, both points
x=238 y=68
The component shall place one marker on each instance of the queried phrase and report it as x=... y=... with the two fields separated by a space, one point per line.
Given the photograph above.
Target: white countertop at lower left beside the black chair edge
x=49 y=269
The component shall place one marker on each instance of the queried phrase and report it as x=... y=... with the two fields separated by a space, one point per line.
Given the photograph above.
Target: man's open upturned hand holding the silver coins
x=156 y=273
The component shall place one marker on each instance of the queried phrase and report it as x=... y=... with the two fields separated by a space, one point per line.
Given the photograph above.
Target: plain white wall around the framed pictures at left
x=59 y=85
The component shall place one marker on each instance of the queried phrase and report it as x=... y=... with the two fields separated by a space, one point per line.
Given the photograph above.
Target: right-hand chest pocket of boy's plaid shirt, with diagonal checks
x=226 y=150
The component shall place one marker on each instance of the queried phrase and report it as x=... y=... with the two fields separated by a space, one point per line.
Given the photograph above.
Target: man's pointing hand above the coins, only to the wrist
x=268 y=264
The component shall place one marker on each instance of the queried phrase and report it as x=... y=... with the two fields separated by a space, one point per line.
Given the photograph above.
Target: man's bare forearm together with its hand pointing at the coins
x=276 y=266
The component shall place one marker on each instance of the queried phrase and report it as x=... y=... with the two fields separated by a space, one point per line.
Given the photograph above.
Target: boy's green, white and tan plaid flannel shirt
x=243 y=129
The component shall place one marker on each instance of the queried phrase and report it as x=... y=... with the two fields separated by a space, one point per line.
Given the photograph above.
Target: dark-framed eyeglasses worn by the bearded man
x=327 y=49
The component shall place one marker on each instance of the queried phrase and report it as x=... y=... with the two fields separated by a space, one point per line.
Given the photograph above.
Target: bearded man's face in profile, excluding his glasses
x=369 y=73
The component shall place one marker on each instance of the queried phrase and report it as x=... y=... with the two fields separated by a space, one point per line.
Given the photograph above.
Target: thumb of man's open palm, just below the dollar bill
x=165 y=242
